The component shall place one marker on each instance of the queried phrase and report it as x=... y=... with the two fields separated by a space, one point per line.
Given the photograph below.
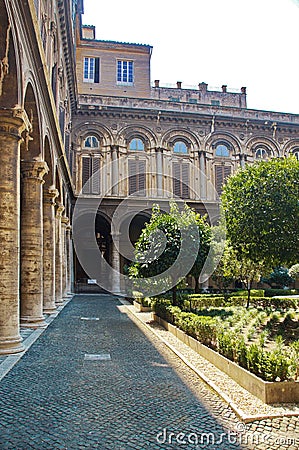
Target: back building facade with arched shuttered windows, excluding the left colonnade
x=143 y=143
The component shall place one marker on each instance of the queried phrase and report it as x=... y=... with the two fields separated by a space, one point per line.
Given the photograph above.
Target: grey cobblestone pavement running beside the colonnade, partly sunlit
x=98 y=379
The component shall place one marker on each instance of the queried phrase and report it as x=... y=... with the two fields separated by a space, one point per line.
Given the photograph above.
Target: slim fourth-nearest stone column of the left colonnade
x=58 y=255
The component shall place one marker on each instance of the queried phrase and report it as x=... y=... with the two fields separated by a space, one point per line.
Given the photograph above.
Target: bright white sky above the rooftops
x=253 y=43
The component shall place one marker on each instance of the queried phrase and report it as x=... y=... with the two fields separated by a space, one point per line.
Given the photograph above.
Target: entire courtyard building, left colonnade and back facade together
x=81 y=121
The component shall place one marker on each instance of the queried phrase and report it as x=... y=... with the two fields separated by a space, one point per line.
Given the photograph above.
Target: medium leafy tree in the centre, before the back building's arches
x=169 y=248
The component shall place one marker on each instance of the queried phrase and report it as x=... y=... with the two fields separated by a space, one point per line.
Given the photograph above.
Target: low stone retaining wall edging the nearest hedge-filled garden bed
x=268 y=392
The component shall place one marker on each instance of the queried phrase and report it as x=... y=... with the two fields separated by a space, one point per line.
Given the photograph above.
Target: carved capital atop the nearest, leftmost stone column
x=14 y=121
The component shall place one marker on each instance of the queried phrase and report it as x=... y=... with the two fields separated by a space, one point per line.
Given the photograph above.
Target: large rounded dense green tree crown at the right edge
x=261 y=210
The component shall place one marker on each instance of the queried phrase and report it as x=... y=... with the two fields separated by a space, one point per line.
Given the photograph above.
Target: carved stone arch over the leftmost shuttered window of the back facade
x=102 y=133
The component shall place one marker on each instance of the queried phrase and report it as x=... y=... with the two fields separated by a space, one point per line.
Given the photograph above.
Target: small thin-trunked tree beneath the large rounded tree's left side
x=239 y=266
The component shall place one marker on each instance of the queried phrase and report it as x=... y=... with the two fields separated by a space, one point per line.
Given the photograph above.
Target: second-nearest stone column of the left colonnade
x=32 y=173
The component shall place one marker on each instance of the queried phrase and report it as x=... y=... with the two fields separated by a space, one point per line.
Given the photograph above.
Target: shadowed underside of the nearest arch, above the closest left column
x=9 y=86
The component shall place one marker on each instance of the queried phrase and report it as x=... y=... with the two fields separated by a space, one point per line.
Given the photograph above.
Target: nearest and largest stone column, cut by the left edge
x=12 y=123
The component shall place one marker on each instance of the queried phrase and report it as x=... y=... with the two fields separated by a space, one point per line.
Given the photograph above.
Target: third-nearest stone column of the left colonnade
x=49 y=249
